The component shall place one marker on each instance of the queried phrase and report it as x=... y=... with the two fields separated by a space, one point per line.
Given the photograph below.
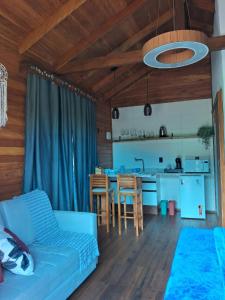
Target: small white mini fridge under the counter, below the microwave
x=192 y=196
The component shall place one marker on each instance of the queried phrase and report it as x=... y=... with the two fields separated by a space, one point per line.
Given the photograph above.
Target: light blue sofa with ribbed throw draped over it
x=63 y=245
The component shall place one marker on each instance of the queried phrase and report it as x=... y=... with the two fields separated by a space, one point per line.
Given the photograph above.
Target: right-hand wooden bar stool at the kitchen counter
x=130 y=186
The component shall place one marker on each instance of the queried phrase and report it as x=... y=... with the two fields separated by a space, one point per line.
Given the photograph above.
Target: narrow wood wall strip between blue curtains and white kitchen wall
x=104 y=147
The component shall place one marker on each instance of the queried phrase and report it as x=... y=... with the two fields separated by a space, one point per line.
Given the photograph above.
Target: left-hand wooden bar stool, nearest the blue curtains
x=100 y=187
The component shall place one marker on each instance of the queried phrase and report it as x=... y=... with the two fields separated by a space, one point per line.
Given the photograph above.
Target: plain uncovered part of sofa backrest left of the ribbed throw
x=13 y=211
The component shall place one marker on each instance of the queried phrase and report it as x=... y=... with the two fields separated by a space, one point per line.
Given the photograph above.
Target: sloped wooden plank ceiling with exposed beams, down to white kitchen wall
x=63 y=36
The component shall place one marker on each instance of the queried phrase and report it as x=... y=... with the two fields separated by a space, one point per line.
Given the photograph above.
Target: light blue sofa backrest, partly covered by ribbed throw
x=30 y=216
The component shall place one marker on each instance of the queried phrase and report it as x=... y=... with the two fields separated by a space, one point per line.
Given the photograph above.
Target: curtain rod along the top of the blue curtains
x=50 y=76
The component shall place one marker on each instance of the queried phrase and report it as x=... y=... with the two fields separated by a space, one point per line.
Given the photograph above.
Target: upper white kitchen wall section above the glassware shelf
x=179 y=117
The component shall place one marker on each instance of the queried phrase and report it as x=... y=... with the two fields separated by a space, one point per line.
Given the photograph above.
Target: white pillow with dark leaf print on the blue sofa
x=13 y=257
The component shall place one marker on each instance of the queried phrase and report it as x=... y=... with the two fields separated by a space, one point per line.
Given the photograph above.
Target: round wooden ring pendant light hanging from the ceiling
x=175 y=49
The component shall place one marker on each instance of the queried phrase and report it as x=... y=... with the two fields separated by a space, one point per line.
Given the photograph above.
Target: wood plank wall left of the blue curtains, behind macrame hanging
x=12 y=136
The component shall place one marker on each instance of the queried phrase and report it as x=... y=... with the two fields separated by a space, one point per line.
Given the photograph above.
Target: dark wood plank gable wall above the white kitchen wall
x=188 y=83
